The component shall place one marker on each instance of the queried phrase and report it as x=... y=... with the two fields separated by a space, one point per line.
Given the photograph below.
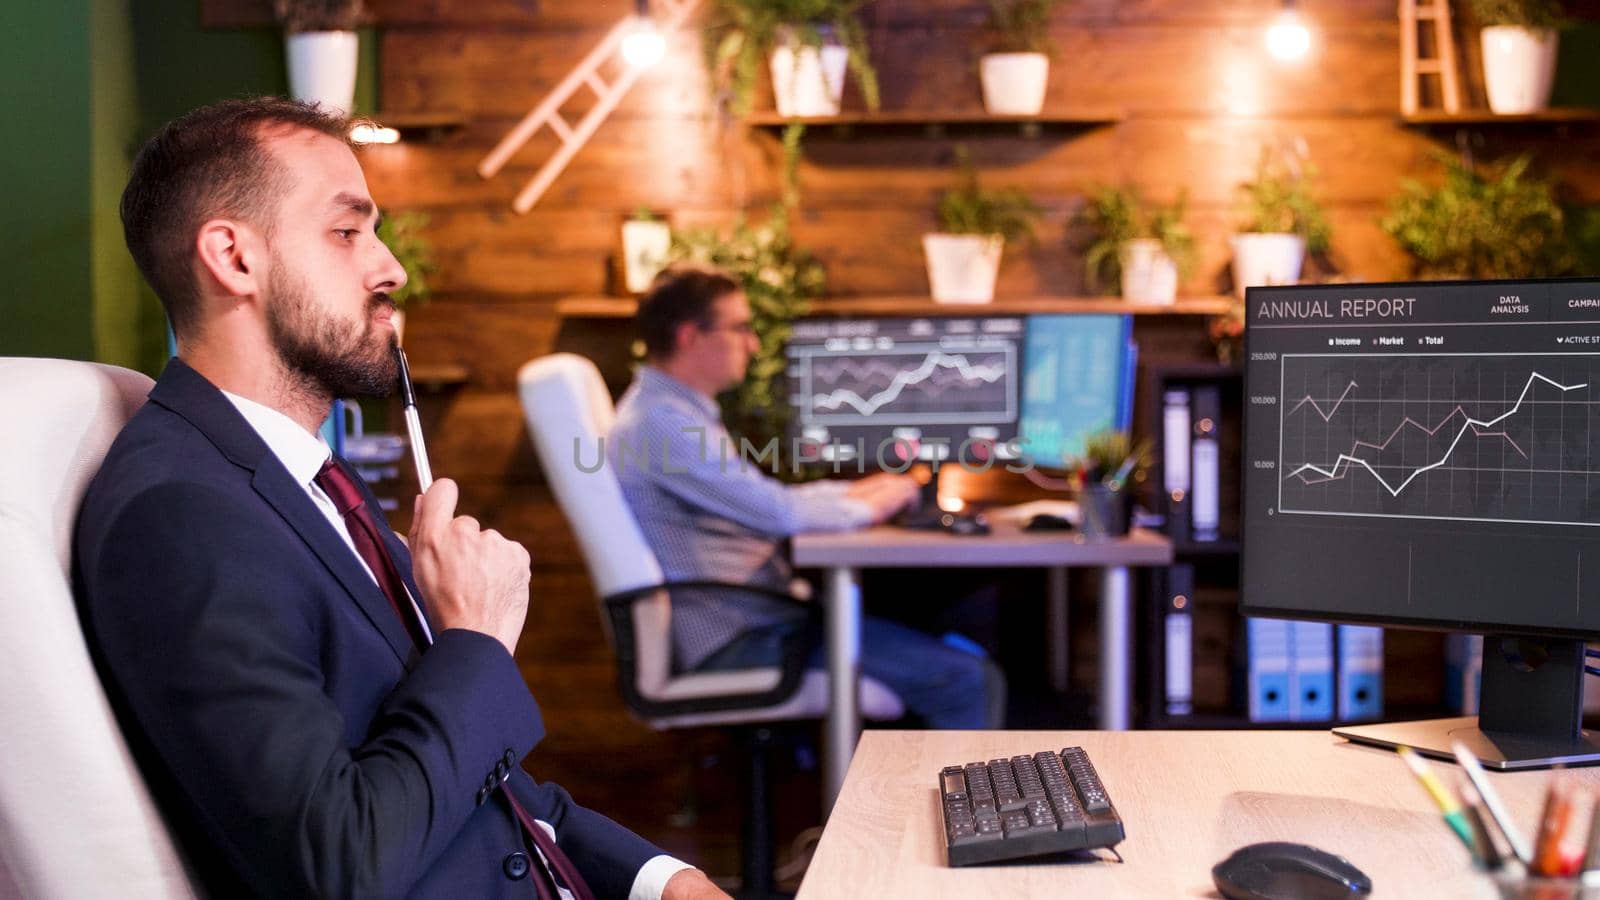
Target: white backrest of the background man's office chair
x=569 y=411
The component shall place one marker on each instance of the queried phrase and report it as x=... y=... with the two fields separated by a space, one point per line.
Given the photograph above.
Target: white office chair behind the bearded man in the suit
x=76 y=818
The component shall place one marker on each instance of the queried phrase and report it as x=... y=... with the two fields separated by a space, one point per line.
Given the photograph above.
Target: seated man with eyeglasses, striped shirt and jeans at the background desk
x=710 y=513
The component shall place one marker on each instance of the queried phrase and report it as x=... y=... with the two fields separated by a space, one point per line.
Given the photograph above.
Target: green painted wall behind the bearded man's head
x=100 y=78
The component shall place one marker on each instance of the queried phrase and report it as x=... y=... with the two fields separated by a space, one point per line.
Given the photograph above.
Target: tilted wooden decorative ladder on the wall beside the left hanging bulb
x=550 y=111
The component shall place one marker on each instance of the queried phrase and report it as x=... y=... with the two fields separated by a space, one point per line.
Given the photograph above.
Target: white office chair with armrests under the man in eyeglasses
x=569 y=409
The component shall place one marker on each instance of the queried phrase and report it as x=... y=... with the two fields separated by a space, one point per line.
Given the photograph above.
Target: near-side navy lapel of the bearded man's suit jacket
x=198 y=401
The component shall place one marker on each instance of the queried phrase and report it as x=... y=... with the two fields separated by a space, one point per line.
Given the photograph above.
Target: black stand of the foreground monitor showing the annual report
x=1530 y=712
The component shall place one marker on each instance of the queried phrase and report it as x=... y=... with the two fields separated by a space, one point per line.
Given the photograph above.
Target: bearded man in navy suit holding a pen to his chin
x=321 y=709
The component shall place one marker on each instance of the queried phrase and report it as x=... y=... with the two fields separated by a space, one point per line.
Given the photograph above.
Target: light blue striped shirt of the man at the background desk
x=710 y=513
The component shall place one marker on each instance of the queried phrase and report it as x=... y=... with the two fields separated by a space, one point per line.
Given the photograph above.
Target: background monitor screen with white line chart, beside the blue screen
x=894 y=390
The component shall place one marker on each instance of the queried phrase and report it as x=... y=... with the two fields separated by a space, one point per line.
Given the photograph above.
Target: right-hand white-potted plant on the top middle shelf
x=1017 y=71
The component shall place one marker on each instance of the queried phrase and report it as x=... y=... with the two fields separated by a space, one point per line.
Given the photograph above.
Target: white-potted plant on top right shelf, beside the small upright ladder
x=1519 y=42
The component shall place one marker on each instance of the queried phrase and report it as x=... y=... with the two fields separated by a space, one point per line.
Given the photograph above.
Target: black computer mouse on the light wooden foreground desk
x=1279 y=870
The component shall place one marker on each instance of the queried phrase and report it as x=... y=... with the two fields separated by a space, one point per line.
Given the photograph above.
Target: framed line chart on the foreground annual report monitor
x=1441 y=436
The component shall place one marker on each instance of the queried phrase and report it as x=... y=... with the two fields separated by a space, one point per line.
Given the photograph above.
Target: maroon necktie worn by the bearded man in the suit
x=364 y=529
